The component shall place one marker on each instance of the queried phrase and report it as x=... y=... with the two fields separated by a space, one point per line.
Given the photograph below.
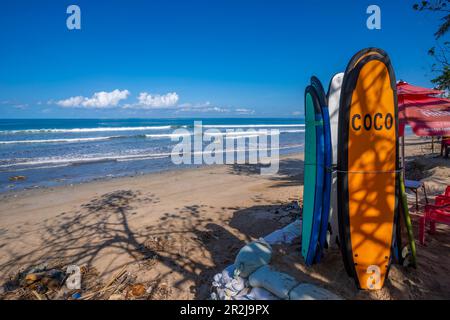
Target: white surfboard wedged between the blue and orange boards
x=334 y=96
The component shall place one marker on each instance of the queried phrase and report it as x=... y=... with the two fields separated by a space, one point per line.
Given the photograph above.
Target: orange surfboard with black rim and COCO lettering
x=368 y=167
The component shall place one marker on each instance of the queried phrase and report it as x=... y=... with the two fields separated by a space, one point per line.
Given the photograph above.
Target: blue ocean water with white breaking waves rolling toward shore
x=52 y=152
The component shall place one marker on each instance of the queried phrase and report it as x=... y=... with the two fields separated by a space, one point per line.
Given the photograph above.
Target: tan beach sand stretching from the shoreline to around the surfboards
x=174 y=230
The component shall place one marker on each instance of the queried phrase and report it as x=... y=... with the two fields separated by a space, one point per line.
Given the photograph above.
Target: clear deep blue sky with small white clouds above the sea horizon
x=192 y=58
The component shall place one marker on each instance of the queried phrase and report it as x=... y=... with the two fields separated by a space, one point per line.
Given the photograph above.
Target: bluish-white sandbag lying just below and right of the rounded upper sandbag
x=276 y=282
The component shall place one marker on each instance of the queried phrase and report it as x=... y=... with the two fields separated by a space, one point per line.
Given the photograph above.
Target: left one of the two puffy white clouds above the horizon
x=98 y=100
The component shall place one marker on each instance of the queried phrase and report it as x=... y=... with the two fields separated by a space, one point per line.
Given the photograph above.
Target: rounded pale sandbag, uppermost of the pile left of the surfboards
x=251 y=257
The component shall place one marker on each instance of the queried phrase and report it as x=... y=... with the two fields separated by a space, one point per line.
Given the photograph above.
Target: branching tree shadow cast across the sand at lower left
x=185 y=241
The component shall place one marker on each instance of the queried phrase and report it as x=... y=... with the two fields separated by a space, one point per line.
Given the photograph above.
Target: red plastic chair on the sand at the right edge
x=437 y=213
